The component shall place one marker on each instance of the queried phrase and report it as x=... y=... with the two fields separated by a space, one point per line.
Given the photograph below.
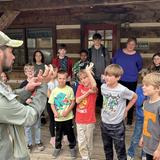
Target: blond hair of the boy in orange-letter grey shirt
x=152 y=79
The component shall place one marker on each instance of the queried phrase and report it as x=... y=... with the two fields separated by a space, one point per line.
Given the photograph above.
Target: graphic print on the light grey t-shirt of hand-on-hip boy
x=110 y=103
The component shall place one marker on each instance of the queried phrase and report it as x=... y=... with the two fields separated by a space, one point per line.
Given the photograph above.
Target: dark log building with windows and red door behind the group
x=43 y=24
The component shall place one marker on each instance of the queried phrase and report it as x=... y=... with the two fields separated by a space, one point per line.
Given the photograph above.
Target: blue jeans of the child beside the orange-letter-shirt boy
x=136 y=137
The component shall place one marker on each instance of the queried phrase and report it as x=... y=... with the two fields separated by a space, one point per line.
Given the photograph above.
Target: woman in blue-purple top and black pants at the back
x=131 y=62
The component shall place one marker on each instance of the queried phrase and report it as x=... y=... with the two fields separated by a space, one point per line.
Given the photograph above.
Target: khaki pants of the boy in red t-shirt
x=85 y=139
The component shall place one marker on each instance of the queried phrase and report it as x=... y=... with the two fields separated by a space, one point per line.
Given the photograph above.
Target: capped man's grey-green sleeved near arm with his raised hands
x=13 y=112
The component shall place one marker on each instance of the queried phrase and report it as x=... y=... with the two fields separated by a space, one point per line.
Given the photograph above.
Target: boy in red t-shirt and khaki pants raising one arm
x=85 y=112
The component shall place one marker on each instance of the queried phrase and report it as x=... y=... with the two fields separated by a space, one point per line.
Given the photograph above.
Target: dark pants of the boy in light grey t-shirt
x=114 y=134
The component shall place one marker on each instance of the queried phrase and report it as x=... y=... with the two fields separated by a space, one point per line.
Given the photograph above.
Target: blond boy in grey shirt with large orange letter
x=151 y=127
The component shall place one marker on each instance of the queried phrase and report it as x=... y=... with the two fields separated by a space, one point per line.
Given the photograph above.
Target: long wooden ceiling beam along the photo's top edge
x=30 y=5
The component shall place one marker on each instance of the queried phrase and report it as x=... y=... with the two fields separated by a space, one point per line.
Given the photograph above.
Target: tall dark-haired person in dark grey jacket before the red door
x=99 y=55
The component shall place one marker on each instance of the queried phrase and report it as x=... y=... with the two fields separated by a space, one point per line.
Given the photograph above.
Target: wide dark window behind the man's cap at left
x=34 y=38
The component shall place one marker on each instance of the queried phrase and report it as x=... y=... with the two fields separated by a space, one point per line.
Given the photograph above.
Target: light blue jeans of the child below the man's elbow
x=37 y=132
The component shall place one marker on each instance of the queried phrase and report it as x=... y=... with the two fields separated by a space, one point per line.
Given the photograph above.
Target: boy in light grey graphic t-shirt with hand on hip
x=114 y=111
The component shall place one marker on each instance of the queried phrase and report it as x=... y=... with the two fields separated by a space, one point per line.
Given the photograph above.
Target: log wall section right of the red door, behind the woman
x=148 y=37
